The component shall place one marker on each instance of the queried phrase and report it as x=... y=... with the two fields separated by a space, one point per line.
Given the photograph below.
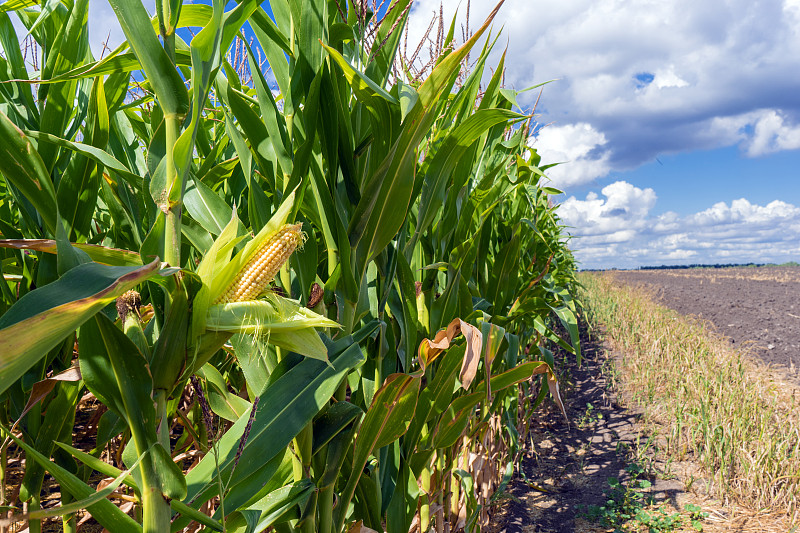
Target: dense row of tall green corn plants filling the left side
x=322 y=307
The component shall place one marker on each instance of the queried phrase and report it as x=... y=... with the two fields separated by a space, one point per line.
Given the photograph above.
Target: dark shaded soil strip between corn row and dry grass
x=568 y=466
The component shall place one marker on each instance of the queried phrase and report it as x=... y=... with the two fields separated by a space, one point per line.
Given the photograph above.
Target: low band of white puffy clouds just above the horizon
x=617 y=229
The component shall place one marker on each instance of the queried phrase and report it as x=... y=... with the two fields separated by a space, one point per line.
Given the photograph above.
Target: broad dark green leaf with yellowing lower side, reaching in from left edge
x=43 y=317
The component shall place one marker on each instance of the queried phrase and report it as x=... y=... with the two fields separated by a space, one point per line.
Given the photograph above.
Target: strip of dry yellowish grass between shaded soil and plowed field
x=714 y=405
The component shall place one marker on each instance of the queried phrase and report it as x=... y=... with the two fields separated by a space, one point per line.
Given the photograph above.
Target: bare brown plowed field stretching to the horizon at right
x=758 y=307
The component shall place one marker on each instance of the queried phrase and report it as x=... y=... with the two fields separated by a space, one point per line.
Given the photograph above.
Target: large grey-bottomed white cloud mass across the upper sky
x=651 y=77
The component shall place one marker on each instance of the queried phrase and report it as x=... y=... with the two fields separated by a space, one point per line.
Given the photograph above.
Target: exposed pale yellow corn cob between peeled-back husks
x=254 y=278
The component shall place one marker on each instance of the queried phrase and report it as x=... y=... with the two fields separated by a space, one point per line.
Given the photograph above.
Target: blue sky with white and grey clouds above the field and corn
x=678 y=121
